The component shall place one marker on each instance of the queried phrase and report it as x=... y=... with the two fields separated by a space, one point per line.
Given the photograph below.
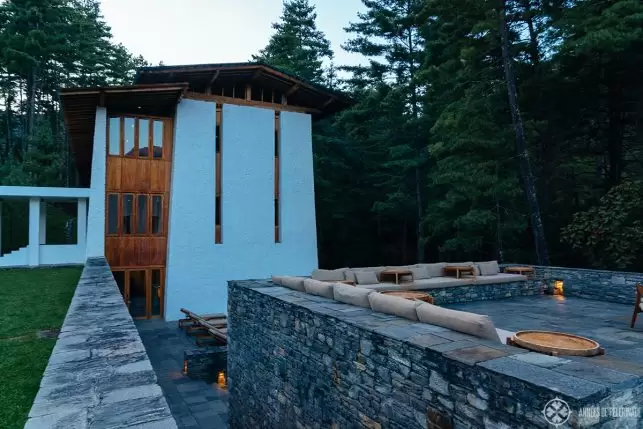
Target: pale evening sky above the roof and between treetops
x=215 y=31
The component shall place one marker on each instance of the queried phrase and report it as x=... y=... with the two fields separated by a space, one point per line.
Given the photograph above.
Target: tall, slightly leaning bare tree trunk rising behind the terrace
x=521 y=144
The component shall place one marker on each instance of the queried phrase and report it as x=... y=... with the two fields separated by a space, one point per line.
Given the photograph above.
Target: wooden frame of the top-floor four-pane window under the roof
x=165 y=143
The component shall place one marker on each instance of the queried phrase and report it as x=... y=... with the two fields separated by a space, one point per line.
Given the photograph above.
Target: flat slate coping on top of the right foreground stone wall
x=503 y=364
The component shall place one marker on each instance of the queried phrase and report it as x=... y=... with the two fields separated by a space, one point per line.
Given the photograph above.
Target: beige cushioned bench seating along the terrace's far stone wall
x=425 y=276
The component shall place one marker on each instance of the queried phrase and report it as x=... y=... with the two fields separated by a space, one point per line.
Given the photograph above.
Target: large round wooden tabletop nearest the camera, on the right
x=556 y=343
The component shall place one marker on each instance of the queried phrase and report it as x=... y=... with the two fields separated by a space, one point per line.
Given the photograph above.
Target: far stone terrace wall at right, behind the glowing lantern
x=602 y=285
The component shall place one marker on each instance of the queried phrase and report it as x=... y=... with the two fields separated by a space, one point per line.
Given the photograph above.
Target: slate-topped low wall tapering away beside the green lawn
x=99 y=375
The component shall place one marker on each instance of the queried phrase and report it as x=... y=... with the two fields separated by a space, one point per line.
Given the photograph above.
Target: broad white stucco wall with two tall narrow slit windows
x=197 y=268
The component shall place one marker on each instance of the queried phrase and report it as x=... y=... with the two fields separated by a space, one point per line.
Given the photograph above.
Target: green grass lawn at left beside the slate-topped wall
x=30 y=300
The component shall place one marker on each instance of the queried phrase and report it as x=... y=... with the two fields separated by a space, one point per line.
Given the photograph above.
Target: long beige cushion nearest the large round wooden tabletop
x=461 y=321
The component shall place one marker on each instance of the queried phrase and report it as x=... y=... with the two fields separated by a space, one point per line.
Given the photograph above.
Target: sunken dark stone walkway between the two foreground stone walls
x=194 y=404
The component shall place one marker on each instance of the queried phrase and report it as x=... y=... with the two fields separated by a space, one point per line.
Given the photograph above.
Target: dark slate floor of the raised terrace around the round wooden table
x=605 y=322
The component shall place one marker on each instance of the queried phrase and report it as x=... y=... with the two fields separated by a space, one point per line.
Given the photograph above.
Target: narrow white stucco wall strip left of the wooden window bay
x=96 y=214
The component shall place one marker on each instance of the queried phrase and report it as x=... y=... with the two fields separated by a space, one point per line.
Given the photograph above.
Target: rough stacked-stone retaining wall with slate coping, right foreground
x=301 y=361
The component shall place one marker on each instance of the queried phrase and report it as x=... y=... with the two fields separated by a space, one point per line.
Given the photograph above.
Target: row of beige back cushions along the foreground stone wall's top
x=469 y=323
